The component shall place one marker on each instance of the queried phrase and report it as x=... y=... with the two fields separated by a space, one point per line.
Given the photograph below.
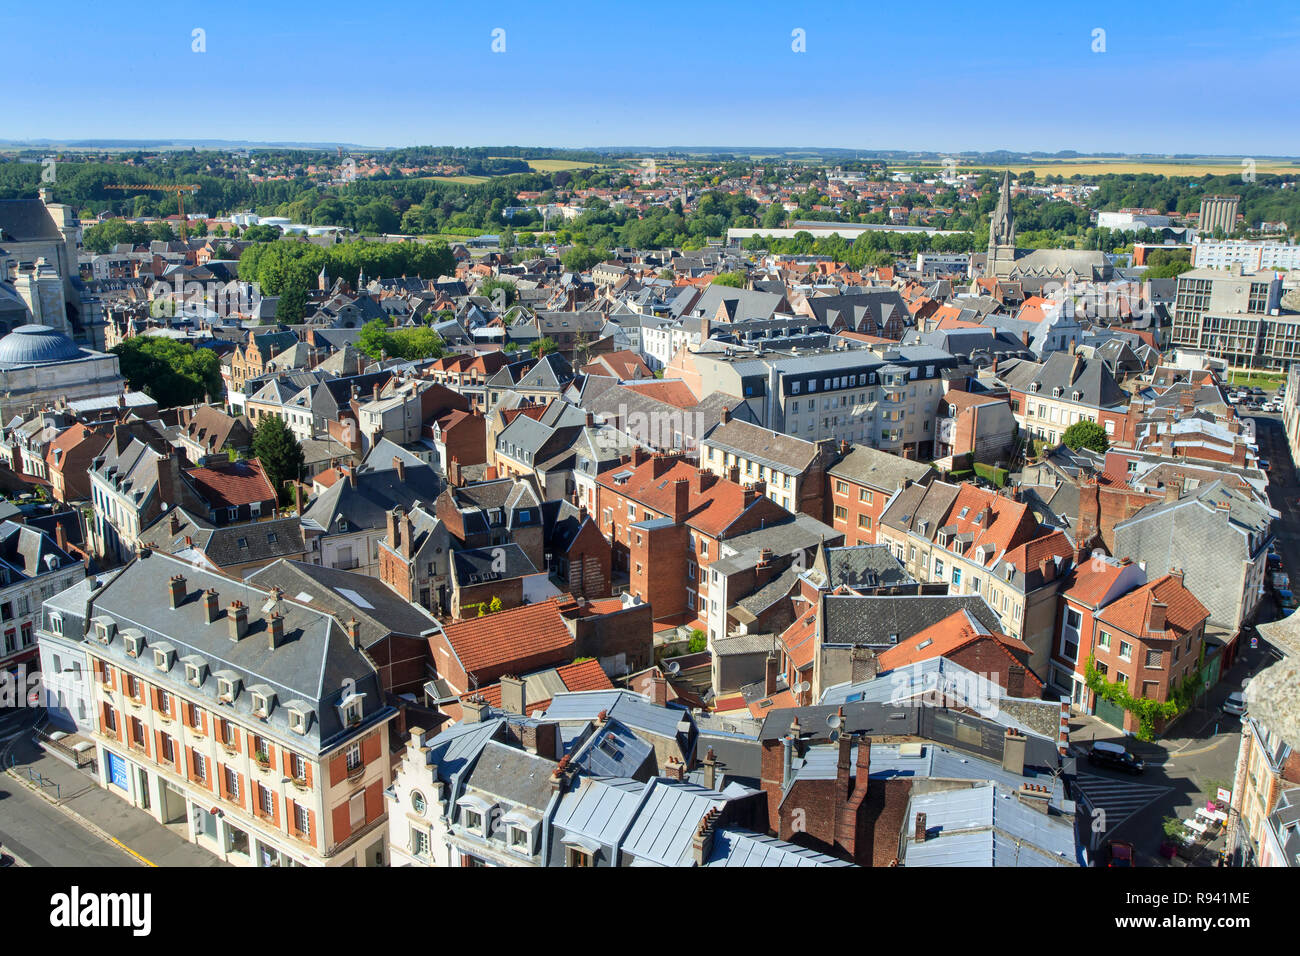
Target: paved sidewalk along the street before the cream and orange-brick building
x=101 y=812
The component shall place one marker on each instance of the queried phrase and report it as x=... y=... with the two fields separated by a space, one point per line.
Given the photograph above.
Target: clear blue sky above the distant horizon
x=1190 y=77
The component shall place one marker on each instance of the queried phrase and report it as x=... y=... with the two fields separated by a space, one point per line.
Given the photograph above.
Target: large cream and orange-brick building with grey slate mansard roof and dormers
x=250 y=724
